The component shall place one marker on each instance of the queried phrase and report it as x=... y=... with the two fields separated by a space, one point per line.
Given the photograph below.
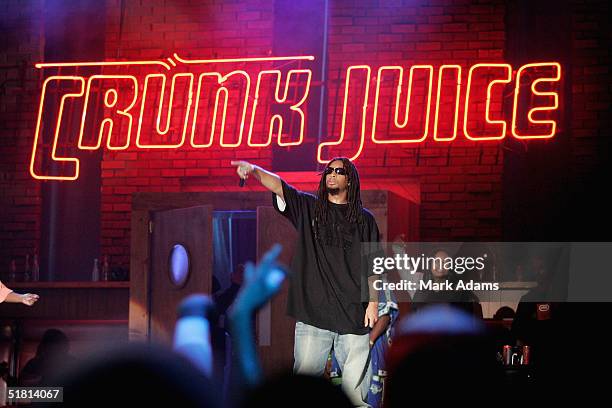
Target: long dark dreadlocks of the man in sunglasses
x=355 y=206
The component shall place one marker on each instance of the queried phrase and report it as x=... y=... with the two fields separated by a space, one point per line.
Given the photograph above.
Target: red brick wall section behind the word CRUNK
x=154 y=29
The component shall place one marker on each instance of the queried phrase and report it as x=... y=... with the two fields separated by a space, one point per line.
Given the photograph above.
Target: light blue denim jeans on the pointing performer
x=311 y=349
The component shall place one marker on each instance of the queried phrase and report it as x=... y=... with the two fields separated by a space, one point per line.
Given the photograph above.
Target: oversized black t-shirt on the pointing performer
x=328 y=281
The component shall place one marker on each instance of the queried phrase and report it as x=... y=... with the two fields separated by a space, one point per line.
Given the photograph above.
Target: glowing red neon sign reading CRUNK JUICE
x=173 y=103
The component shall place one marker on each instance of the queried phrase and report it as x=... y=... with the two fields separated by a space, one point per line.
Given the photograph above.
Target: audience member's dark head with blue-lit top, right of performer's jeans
x=443 y=355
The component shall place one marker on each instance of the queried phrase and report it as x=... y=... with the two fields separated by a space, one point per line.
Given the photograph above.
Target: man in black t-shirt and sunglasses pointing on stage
x=326 y=294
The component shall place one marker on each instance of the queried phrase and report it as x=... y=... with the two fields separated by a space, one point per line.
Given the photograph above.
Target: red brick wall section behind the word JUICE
x=461 y=187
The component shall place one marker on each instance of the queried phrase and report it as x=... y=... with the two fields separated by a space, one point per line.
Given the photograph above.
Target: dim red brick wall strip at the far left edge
x=21 y=29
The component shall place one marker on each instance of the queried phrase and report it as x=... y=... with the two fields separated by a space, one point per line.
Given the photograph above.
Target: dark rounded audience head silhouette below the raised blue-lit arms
x=138 y=375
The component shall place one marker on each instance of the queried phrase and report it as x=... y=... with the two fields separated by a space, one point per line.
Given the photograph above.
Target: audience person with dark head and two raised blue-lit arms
x=143 y=375
